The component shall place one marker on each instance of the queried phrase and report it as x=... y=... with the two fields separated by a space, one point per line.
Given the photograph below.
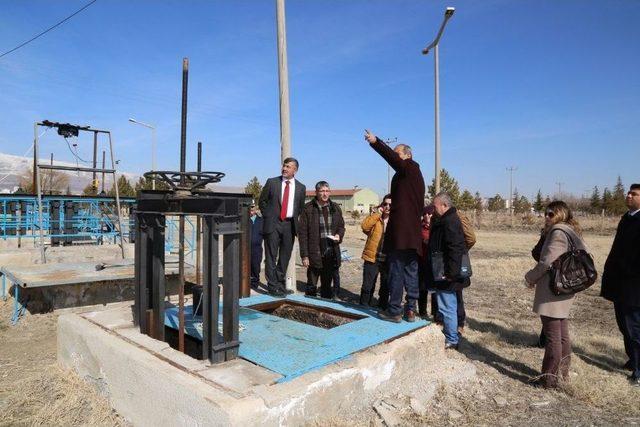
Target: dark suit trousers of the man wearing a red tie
x=278 y=246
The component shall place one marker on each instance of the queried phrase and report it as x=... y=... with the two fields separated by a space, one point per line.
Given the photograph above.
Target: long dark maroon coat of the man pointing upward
x=407 y=200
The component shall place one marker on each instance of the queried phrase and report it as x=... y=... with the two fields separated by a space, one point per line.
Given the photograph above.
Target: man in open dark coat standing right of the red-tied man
x=321 y=231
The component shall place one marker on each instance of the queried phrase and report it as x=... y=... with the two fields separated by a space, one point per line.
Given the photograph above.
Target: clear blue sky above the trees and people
x=552 y=88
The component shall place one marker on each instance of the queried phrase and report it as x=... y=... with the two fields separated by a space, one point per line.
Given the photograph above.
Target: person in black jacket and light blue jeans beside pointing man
x=446 y=239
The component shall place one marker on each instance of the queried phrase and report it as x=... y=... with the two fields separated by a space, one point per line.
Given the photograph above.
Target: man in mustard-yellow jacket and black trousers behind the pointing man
x=374 y=227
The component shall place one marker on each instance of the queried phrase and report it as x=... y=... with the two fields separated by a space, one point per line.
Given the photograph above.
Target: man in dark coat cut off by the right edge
x=621 y=281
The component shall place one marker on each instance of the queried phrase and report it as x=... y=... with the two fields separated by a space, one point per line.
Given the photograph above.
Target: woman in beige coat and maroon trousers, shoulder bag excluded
x=560 y=226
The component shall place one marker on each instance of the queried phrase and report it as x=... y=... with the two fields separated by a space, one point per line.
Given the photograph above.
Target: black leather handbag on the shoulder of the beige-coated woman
x=573 y=271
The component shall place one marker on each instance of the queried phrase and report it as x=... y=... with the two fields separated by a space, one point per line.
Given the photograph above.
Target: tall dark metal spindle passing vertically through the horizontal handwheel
x=183 y=157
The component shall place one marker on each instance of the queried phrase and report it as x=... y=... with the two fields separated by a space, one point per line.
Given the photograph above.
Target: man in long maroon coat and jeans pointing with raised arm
x=403 y=240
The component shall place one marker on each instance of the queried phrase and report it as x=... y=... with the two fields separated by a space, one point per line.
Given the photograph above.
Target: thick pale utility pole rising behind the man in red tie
x=285 y=127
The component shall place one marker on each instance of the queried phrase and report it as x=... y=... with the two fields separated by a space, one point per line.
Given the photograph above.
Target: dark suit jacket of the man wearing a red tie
x=270 y=203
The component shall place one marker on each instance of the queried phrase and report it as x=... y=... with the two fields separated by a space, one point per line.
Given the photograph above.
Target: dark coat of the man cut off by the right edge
x=621 y=277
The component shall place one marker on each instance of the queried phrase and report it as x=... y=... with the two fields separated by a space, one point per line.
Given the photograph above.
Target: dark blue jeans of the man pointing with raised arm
x=403 y=275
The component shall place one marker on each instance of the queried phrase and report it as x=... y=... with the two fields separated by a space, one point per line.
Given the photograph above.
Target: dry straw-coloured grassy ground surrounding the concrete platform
x=498 y=339
